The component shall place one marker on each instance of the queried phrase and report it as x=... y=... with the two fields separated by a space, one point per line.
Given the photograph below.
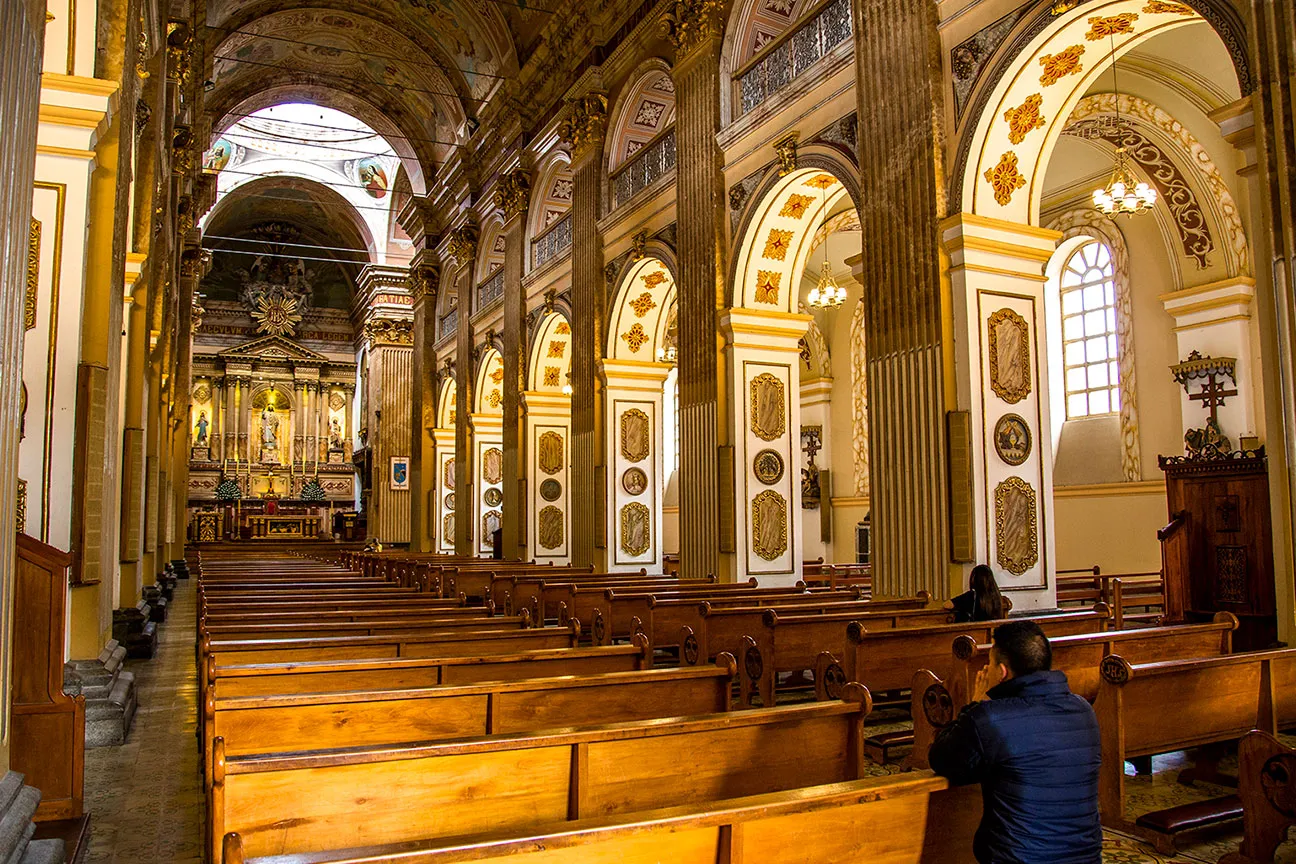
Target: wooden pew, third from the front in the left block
x=260 y=725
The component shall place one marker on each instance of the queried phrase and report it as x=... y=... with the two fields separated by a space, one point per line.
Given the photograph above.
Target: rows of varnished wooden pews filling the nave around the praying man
x=432 y=709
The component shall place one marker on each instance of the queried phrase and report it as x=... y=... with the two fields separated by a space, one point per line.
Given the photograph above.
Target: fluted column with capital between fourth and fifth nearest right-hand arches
x=513 y=196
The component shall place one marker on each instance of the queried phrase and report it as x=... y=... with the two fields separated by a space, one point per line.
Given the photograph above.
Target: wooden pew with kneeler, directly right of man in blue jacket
x=1136 y=705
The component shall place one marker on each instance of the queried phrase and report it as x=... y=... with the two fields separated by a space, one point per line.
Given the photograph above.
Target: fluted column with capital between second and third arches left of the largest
x=584 y=133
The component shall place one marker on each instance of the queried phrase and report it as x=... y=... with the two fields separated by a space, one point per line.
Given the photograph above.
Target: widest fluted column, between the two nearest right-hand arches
x=903 y=204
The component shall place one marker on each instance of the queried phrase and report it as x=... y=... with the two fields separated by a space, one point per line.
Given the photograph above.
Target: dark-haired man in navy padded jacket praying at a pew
x=1034 y=747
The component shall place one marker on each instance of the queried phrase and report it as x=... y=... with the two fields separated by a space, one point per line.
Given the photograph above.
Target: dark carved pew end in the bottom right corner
x=1267 y=791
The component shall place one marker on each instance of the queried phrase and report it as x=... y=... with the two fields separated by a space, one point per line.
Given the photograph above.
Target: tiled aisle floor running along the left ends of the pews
x=145 y=797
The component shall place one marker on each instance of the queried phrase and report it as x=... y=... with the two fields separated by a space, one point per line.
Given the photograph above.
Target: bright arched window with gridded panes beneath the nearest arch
x=1089 y=341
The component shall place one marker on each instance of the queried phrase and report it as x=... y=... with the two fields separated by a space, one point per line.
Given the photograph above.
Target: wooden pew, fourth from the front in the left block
x=326 y=677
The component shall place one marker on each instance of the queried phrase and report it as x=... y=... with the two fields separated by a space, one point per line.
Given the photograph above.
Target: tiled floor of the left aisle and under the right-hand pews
x=147 y=805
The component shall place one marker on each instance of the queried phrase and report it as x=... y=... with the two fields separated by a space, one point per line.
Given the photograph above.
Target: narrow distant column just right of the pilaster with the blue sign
x=424 y=282
